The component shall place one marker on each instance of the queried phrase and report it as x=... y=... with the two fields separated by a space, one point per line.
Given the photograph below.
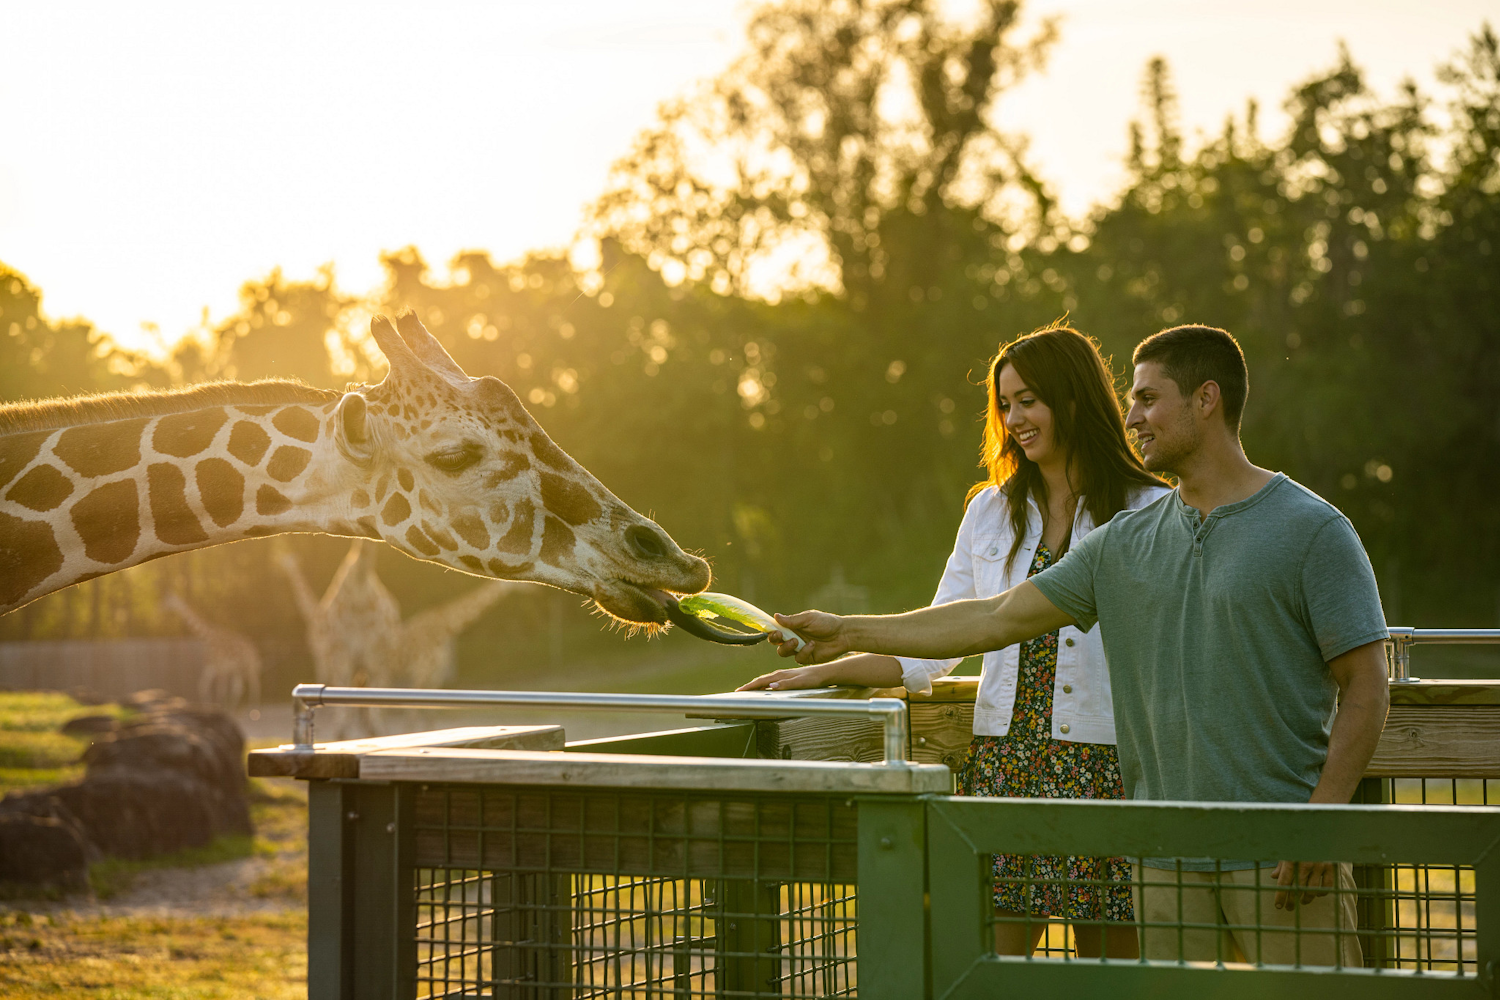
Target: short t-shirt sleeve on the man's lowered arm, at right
x=1340 y=593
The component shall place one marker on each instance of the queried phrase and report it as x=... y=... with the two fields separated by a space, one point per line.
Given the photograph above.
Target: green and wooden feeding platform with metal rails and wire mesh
x=808 y=845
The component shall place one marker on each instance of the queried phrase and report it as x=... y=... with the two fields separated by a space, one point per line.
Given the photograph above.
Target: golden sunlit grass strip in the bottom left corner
x=164 y=959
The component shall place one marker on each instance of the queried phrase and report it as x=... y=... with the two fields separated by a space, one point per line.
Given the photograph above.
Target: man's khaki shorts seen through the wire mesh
x=1223 y=905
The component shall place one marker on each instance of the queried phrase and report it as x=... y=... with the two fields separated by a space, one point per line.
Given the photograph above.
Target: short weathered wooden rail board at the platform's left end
x=343 y=759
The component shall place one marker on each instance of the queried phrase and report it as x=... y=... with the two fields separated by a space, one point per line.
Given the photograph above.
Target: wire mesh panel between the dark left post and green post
x=644 y=896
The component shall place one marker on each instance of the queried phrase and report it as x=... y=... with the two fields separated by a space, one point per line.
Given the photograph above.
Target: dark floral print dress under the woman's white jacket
x=1030 y=764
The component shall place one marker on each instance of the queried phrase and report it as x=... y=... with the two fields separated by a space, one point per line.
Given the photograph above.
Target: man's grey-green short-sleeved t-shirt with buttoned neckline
x=1219 y=635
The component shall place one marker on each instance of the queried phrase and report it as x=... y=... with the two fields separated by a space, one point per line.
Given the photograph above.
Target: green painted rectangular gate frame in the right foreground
x=962 y=833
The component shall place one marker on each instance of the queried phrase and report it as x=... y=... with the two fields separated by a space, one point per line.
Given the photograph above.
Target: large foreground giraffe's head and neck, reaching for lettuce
x=445 y=467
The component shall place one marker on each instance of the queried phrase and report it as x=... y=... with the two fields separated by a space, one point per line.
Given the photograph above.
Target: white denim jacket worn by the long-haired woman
x=1082 y=710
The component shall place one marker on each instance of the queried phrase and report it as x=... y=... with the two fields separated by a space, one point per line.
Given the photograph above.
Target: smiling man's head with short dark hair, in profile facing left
x=1190 y=383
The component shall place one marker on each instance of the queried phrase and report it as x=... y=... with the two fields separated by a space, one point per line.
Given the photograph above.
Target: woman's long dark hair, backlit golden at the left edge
x=1067 y=373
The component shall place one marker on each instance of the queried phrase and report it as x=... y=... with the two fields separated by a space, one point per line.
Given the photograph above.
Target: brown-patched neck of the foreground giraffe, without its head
x=112 y=491
